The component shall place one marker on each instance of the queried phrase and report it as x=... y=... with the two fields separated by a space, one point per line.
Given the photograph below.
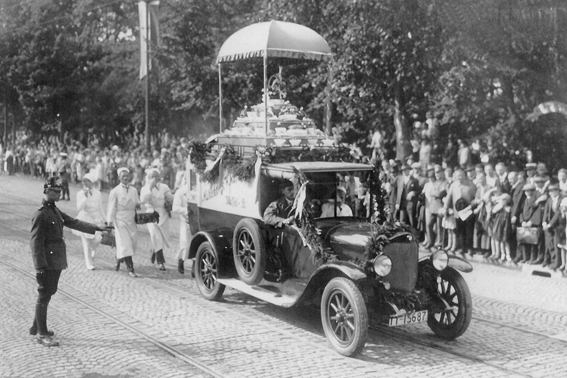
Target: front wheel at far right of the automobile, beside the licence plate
x=452 y=285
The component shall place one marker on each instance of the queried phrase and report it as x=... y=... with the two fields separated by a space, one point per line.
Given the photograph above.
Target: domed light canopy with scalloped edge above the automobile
x=276 y=39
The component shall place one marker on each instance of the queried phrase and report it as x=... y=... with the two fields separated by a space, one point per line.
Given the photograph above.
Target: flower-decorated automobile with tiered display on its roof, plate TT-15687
x=279 y=212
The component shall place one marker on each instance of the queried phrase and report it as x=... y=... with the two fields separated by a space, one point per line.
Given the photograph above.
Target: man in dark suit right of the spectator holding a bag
x=552 y=227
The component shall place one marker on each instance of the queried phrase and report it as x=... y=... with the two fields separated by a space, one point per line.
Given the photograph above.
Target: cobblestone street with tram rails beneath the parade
x=158 y=325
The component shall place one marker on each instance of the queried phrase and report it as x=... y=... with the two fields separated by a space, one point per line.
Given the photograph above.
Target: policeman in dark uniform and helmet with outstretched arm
x=49 y=254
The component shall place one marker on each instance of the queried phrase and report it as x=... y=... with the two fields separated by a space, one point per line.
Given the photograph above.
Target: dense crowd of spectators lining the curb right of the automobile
x=504 y=214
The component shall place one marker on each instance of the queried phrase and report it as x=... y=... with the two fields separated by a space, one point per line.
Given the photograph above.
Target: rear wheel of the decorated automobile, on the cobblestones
x=206 y=272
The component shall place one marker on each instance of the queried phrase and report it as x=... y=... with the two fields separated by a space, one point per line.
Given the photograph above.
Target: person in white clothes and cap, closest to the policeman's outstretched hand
x=89 y=204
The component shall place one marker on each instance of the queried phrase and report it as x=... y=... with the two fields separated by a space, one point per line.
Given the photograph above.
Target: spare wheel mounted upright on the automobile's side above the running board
x=250 y=261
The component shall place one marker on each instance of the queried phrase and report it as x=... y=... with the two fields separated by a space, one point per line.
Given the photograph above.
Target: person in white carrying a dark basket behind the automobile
x=154 y=196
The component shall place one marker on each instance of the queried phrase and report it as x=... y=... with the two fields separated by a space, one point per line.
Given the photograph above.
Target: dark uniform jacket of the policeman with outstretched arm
x=47 y=242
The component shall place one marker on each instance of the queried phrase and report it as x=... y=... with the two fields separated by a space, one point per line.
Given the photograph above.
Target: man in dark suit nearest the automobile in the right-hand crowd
x=405 y=194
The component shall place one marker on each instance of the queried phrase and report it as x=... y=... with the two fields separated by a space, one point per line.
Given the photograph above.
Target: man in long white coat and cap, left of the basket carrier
x=122 y=203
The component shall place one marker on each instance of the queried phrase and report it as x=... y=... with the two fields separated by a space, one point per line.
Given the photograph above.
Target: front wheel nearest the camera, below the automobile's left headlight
x=339 y=290
